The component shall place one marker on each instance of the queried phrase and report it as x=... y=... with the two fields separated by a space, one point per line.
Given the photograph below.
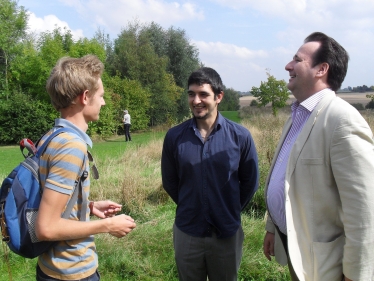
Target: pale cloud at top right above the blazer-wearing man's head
x=321 y=14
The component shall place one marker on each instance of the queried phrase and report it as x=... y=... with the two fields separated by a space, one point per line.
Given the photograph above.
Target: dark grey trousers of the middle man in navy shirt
x=200 y=257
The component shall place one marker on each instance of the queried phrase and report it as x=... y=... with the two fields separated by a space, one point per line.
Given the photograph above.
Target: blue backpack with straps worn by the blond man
x=20 y=197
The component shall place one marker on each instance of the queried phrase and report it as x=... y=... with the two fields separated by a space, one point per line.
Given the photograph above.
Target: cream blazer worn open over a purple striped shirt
x=329 y=195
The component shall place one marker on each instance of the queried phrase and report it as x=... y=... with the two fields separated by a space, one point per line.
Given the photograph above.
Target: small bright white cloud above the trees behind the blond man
x=48 y=23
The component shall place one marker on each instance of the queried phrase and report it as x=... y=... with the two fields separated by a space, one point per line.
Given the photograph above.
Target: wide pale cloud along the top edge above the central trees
x=115 y=14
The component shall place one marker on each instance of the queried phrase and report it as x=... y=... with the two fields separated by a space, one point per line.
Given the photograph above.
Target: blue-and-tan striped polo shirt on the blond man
x=60 y=166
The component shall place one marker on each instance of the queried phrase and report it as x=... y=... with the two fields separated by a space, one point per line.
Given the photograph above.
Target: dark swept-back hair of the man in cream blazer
x=334 y=55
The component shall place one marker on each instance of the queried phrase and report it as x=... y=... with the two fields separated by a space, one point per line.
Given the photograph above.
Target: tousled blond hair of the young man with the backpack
x=71 y=77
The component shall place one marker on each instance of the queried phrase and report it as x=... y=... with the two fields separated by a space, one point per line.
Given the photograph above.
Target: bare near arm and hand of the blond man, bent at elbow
x=50 y=226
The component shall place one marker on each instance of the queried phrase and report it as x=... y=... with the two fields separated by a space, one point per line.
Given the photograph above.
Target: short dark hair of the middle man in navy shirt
x=206 y=75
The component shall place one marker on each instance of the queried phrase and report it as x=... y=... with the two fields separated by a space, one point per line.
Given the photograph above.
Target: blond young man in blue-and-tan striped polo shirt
x=77 y=92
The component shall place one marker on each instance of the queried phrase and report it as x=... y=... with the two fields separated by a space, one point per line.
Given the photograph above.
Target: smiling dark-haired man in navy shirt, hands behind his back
x=210 y=169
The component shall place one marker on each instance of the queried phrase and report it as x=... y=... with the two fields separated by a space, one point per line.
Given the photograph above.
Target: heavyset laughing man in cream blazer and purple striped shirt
x=320 y=189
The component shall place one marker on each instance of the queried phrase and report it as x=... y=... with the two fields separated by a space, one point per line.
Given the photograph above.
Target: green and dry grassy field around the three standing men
x=130 y=174
